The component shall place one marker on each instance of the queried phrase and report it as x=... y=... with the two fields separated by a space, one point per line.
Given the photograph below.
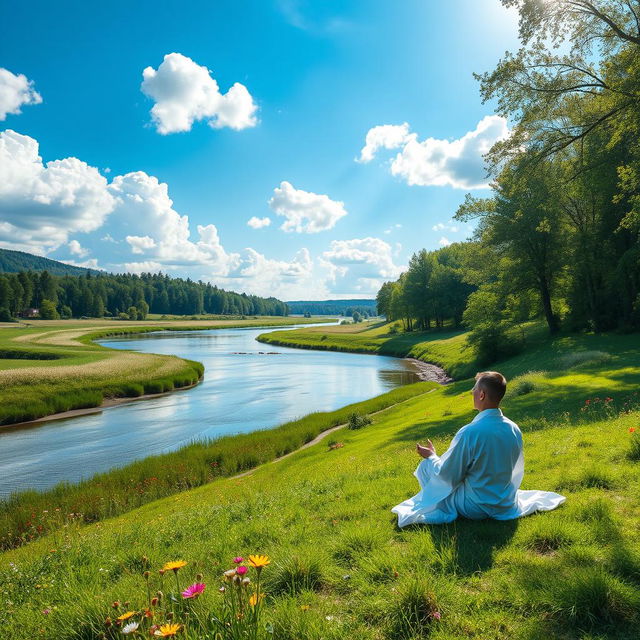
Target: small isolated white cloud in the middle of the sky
x=305 y=212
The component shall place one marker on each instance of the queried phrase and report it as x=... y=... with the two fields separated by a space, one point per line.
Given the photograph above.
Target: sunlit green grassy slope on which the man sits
x=340 y=568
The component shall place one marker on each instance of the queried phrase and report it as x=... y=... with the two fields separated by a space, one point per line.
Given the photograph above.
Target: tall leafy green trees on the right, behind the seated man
x=560 y=237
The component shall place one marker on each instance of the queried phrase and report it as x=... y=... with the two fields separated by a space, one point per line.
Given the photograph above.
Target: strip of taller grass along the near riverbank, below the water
x=28 y=515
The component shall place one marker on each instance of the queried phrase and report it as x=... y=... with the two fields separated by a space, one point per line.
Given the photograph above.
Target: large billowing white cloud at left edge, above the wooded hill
x=40 y=205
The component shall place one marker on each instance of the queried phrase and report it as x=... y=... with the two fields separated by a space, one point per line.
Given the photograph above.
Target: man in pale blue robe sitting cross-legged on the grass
x=480 y=474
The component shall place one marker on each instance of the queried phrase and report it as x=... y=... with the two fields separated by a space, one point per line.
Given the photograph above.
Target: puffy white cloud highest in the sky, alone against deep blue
x=185 y=92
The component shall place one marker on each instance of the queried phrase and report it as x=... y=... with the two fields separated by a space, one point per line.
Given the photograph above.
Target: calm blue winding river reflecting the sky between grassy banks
x=247 y=386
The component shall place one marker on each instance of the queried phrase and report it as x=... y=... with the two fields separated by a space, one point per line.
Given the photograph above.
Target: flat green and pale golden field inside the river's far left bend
x=48 y=367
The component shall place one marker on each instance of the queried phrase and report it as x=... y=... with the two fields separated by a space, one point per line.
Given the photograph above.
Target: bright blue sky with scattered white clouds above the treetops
x=309 y=82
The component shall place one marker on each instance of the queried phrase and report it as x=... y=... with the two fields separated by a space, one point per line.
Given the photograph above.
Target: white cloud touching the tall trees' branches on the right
x=435 y=162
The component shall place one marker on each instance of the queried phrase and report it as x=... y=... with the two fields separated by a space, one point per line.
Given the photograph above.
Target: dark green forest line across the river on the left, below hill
x=123 y=295
